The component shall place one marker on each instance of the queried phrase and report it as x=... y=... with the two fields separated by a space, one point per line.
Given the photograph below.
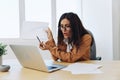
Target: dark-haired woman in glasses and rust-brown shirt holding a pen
x=73 y=40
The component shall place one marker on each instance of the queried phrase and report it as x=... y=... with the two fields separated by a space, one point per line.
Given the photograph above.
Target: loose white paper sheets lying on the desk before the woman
x=83 y=68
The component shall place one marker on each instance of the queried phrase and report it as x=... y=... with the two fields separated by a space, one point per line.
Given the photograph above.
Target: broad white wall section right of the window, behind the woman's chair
x=97 y=16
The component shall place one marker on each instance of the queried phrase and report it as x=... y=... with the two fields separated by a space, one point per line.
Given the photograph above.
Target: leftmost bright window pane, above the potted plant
x=9 y=18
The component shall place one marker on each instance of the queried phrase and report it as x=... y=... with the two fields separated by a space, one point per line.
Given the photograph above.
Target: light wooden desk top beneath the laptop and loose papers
x=110 y=69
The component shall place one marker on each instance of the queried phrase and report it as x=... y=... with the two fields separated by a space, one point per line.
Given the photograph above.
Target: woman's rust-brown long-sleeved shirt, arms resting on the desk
x=82 y=53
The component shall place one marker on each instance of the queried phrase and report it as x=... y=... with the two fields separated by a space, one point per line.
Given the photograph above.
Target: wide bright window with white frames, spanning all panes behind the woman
x=33 y=13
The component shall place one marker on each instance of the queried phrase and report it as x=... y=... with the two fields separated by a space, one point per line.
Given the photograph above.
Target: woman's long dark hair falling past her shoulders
x=77 y=28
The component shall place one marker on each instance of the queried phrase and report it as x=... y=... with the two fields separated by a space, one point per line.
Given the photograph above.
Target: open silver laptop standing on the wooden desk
x=29 y=56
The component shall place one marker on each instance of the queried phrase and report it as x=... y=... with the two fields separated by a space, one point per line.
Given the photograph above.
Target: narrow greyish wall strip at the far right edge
x=116 y=29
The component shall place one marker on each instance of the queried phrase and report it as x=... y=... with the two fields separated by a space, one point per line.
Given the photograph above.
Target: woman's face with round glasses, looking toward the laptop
x=66 y=28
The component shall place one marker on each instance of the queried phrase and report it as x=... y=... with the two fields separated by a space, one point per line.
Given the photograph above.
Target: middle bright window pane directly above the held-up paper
x=37 y=10
